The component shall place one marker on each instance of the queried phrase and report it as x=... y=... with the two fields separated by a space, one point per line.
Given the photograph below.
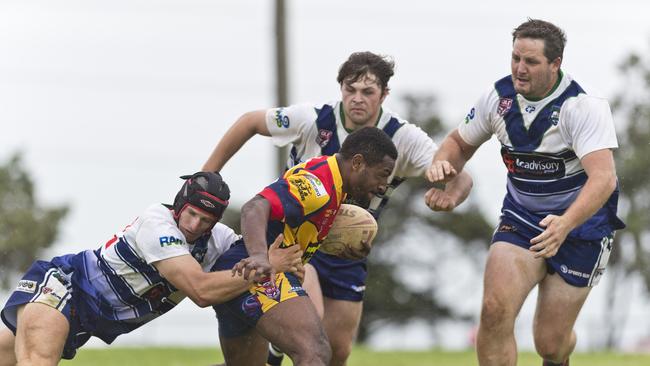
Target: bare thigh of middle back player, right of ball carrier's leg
x=341 y=321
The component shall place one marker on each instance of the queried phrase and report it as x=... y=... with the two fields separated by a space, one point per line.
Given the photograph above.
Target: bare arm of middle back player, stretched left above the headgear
x=250 y=124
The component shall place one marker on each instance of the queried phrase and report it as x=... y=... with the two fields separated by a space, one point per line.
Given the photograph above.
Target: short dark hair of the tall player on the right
x=553 y=37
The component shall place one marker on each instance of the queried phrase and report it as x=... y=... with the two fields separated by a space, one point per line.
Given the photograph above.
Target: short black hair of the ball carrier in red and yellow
x=371 y=142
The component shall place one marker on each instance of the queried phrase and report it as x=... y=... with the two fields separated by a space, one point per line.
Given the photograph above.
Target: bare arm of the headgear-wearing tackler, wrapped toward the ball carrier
x=203 y=288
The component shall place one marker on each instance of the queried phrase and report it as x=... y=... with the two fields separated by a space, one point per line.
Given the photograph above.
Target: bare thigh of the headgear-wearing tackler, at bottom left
x=41 y=333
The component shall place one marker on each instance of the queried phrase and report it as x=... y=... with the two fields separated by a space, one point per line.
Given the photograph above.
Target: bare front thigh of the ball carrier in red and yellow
x=293 y=326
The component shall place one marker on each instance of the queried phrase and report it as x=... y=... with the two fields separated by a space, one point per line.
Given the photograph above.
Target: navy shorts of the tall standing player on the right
x=580 y=263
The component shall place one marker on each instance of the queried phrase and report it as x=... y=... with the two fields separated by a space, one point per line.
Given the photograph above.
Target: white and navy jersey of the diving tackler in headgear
x=120 y=278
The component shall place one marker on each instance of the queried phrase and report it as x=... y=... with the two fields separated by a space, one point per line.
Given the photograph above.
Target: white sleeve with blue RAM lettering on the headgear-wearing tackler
x=156 y=240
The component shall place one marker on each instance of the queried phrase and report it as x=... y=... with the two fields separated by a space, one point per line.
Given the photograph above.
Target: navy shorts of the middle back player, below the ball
x=340 y=279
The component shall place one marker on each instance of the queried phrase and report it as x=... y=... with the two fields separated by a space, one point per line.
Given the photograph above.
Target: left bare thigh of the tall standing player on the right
x=511 y=272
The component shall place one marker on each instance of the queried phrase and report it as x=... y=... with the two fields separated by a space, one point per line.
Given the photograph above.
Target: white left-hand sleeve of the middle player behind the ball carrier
x=289 y=124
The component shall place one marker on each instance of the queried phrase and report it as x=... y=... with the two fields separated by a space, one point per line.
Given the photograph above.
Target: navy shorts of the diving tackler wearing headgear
x=45 y=283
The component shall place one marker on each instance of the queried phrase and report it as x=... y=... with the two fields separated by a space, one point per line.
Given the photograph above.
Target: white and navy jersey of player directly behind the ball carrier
x=318 y=130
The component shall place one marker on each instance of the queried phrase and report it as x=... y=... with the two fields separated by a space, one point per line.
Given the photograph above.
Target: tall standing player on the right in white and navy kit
x=559 y=214
